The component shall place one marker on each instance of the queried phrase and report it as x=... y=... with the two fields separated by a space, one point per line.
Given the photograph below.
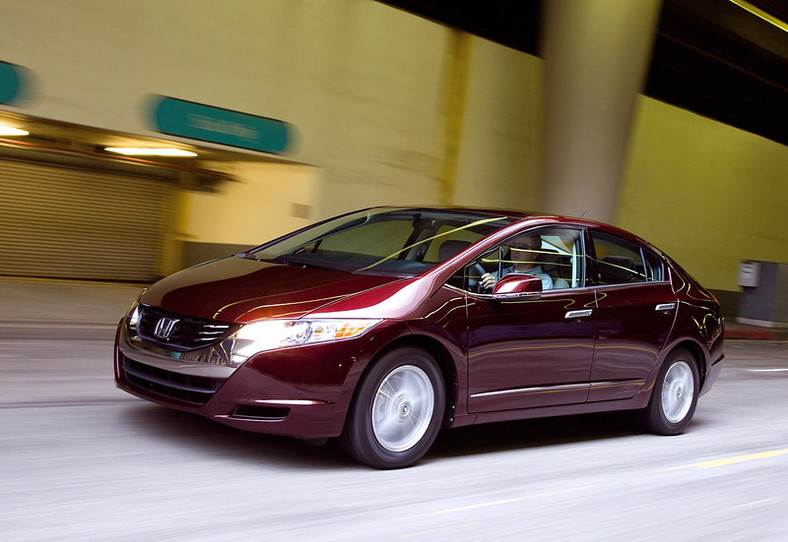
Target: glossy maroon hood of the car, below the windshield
x=243 y=290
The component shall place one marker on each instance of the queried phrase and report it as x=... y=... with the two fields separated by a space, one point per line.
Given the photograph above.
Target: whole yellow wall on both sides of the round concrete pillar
x=370 y=91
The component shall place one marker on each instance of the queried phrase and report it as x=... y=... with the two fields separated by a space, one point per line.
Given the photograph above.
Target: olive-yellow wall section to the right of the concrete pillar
x=708 y=194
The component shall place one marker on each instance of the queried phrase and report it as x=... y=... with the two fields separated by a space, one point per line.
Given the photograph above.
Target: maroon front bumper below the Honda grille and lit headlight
x=303 y=392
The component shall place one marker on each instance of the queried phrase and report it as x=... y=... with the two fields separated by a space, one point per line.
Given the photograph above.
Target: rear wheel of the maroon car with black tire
x=670 y=410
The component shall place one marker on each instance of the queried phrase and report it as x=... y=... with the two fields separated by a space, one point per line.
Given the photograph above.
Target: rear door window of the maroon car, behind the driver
x=617 y=261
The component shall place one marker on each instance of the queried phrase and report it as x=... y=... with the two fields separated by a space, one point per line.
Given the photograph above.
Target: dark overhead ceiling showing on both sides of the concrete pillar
x=724 y=59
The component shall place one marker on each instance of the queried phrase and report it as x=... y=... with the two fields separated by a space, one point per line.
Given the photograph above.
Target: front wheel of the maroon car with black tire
x=383 y=428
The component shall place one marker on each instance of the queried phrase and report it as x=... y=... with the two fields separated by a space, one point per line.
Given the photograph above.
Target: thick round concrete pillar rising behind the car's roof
x=596 y=56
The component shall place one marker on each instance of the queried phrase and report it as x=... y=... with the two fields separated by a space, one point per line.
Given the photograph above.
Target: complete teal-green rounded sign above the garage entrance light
x=207 y=123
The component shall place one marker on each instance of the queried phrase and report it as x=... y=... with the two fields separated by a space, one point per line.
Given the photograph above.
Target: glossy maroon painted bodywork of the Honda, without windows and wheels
x=565 y=351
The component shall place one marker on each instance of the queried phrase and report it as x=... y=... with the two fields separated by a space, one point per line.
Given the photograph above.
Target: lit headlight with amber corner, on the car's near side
x=272 y=334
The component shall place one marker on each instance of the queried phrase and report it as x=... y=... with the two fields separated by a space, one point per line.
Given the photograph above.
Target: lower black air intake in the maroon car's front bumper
x=195 y=390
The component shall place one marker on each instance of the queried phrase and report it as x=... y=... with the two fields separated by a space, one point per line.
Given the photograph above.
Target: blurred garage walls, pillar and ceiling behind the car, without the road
x=665 y=118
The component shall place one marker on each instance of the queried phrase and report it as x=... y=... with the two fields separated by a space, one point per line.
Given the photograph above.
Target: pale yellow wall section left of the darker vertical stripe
x=360 y=81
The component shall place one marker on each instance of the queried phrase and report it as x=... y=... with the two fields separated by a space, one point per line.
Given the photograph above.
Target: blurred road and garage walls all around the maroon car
x=667 y=118
